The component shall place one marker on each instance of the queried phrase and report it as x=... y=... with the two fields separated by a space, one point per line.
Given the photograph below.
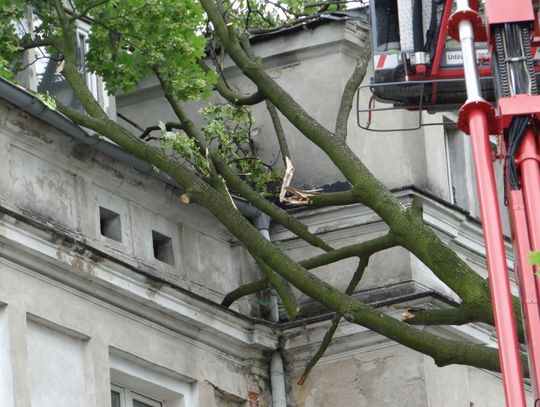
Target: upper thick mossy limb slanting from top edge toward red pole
x=414 y=235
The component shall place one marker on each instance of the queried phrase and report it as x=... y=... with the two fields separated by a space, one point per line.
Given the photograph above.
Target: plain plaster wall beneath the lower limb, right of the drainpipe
x=361 y=368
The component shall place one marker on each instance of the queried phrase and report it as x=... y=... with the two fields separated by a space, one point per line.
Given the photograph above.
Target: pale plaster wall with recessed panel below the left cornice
x=62 y=341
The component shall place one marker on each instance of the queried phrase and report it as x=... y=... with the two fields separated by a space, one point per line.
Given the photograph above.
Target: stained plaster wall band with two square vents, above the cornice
x=60 y=181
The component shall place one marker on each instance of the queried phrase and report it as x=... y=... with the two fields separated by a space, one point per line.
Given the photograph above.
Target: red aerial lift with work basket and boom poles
x=498 y=57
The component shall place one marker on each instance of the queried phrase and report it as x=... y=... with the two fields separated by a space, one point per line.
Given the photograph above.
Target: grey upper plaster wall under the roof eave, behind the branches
x=313 y=65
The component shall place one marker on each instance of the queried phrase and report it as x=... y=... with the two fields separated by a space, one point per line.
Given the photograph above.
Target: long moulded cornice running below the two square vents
x=75 y=267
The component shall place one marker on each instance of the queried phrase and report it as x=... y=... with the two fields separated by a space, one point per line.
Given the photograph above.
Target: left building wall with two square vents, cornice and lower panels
x=80 y=311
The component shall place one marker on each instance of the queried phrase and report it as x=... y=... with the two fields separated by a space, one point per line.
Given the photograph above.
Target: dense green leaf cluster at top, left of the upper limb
x=133 y=37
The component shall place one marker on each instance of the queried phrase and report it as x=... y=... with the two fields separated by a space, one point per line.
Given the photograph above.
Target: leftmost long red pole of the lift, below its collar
x=503 y=309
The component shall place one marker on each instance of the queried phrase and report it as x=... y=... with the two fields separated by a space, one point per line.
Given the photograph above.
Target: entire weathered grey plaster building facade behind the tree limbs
x=110 y=288
